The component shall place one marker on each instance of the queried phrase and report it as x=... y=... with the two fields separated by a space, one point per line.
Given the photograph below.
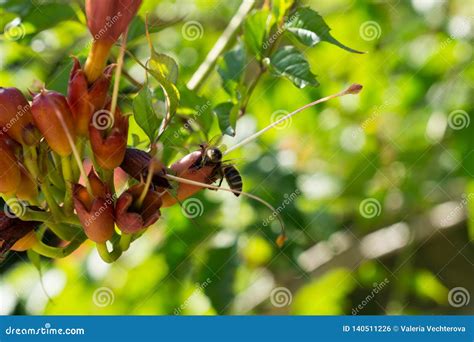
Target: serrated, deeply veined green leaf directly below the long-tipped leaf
x=292 y=64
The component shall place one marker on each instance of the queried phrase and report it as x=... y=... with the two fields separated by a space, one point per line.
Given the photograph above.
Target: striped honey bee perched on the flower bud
x=212 y=156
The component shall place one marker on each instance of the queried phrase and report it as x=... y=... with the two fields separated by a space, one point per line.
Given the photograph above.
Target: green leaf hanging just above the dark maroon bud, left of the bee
x=145 y=115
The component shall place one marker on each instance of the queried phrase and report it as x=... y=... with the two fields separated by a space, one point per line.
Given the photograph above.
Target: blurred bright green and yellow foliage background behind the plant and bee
x=375 y=189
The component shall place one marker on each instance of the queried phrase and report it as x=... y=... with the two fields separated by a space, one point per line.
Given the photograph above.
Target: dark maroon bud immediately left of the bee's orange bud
x=137 y=164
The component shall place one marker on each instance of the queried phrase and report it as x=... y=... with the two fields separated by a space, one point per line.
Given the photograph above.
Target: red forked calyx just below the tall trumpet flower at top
x=84 y=99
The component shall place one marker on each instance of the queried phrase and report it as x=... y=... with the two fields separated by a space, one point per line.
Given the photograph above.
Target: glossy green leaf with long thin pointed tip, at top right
x=310 y=28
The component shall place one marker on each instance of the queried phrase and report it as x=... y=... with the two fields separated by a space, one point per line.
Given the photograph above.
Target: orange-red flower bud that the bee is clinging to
x=184 y=168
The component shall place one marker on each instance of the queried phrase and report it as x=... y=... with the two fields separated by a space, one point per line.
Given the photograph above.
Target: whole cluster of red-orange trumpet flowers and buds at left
x=47 y=143
